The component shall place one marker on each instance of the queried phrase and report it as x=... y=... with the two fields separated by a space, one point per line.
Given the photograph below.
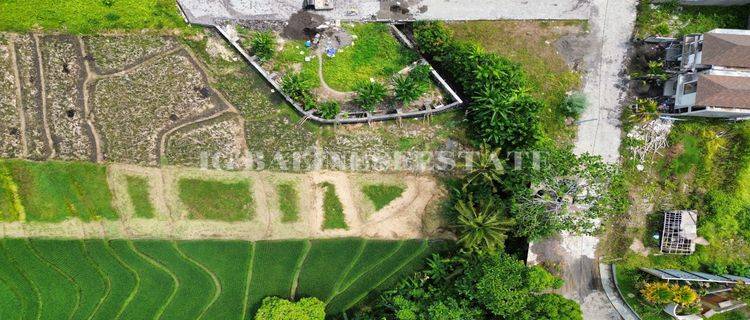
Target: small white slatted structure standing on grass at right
x=680 y=232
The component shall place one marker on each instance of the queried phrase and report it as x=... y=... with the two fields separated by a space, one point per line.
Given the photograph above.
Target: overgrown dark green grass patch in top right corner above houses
x=671 y=19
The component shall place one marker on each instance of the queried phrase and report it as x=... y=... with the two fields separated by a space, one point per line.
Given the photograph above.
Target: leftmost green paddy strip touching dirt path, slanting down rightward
x=58 y=296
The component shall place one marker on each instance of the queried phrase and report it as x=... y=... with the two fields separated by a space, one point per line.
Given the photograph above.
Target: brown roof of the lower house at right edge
x=728 y=91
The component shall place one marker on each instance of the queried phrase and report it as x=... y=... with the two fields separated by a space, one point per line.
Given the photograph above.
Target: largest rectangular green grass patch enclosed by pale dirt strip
x=217 y=200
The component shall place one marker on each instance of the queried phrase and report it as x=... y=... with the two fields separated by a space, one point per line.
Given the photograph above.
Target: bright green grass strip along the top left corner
x=89 y=16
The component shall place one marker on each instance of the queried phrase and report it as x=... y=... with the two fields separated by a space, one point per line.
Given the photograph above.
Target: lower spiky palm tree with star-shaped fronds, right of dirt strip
x=482 y=227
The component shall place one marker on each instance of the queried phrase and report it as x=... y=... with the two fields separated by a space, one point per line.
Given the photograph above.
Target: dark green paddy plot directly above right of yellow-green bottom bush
x=326 y=262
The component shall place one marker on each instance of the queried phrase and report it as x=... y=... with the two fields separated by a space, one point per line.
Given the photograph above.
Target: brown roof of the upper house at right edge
x=727 y=48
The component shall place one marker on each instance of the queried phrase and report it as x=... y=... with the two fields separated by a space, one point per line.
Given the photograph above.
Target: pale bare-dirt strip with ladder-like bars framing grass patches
x=402 y=219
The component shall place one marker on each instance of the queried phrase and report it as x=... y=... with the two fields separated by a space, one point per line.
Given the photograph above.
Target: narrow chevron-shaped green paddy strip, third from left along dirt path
x=121 y=281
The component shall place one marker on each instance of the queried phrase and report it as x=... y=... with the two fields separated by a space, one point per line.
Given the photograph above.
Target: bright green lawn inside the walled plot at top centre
x=376 y=54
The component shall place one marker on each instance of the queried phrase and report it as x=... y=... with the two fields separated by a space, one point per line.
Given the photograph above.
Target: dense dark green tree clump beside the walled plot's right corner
x=500 y=110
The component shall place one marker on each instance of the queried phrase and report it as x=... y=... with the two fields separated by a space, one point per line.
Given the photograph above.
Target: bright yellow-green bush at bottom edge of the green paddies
x=274 y=308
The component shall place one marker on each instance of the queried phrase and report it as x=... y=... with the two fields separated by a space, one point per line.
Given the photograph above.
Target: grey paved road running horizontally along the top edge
x=211 y=11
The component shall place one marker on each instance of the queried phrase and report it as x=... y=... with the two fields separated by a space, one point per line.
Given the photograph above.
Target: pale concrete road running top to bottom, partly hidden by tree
x=612 y=24
